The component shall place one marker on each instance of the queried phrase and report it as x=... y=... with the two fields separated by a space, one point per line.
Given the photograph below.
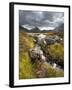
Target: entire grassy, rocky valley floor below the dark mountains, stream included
x=38 y=58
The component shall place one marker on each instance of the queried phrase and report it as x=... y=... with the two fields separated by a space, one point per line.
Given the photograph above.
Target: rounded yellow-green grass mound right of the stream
x=56 y=51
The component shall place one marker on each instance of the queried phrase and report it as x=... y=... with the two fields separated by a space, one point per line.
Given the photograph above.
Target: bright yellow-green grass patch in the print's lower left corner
x=26 y=69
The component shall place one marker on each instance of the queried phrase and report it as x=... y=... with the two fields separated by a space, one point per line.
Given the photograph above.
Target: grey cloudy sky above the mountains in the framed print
x=41 y=19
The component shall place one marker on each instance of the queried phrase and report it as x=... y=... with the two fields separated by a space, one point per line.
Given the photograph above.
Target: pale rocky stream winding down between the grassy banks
x=38 y=53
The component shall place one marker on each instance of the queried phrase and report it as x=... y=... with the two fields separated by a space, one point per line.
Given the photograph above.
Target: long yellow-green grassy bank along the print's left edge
x=25 y=65
